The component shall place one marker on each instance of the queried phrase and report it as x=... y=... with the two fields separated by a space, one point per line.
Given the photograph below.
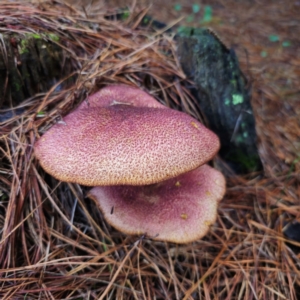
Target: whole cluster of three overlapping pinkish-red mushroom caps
x=133 y=152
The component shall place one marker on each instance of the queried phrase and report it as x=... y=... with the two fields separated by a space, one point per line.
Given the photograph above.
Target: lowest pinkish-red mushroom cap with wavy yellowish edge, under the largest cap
x=178 y=210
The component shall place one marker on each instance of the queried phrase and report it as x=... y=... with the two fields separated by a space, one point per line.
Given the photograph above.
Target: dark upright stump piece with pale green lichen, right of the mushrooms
x=223 y=95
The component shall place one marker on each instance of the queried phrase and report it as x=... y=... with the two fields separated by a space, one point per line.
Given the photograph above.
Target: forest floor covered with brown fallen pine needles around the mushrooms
x=55 y=247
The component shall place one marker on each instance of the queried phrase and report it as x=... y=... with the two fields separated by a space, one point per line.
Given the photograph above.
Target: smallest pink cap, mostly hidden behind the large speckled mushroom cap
x=120 y=94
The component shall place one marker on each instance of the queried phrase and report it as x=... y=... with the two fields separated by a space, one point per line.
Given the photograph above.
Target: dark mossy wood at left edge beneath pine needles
x=29 y=64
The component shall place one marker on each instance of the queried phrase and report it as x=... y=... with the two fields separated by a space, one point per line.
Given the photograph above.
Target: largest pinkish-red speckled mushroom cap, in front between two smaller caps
x=123 y=144
